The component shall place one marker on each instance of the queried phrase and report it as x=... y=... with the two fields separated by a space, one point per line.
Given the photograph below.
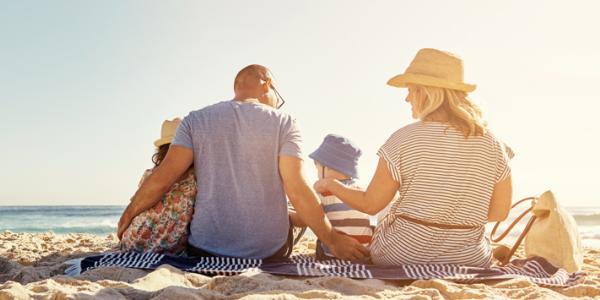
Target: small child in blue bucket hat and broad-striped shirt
x=337 y=158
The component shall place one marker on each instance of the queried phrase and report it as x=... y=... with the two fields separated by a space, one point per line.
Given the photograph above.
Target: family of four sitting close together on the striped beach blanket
x=223 y=176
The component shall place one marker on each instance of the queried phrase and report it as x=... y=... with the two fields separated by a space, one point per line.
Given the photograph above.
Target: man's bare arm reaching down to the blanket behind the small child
x=306 y=203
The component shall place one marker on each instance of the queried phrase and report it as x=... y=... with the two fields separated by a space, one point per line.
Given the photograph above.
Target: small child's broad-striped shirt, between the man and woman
x=345 y=219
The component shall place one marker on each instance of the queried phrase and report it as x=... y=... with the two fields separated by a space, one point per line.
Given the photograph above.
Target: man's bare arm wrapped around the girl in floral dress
x=177 y=161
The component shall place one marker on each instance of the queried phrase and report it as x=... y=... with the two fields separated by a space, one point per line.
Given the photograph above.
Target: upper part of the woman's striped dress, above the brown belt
x=445 y=177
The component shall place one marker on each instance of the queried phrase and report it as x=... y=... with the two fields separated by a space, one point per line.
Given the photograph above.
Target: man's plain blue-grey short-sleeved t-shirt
x=241 y=208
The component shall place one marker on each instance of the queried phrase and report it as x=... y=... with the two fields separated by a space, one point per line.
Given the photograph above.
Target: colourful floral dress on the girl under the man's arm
x=165 y=226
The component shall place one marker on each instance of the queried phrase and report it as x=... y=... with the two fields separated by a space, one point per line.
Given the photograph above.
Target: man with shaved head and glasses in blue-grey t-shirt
x=247 y=158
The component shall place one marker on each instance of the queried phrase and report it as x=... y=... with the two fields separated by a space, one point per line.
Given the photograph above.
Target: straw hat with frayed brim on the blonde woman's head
x=434 y=68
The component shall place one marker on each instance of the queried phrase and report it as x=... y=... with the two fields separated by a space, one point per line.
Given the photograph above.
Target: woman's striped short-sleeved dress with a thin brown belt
x=444 y=178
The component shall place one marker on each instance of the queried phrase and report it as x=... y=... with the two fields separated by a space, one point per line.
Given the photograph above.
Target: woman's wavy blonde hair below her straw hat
x=461 y=112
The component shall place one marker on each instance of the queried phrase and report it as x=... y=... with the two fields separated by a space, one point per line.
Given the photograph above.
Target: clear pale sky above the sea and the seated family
x=84 y=86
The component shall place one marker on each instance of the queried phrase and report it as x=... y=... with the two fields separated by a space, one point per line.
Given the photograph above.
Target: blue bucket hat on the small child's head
x=338 y=153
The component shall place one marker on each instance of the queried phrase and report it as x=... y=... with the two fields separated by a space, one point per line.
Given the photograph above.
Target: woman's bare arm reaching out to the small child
x=378 y=195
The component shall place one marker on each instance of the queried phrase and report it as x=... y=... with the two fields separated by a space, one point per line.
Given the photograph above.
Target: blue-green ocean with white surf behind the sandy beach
x=102 y=220
